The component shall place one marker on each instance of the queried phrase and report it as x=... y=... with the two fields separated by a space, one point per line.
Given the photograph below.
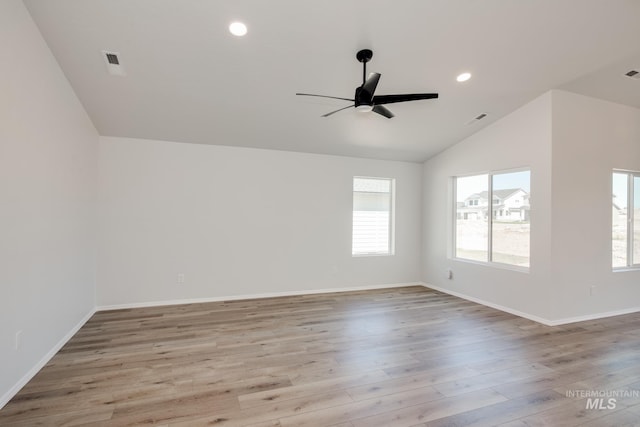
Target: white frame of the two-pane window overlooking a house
x=490 y=206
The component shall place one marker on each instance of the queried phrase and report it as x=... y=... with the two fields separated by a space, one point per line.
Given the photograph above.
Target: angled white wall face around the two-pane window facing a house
x=522 y=139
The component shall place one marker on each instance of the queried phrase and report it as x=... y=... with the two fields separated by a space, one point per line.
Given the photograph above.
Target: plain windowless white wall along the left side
x=48 y=160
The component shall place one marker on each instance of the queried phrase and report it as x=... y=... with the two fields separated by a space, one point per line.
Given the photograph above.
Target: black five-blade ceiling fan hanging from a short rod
x=365 y=98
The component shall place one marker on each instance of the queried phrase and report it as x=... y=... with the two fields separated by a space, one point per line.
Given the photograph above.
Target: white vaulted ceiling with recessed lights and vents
x=189 y=80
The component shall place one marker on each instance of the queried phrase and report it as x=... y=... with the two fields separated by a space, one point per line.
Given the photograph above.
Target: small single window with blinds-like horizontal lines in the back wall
x=372 y=216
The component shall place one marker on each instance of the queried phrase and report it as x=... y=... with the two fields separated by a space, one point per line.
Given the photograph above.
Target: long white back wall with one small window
x=239 y=221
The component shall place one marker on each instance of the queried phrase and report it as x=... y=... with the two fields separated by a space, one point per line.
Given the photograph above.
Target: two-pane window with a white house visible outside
x=498 y=231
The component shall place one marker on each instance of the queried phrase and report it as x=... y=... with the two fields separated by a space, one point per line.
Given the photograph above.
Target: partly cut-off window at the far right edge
x=625 y=220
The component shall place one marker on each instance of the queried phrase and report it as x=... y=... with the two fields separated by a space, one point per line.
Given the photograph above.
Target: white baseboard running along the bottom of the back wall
x=252 y=296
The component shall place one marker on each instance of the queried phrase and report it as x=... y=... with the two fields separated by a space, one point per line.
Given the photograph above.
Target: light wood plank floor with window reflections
x=393 y=357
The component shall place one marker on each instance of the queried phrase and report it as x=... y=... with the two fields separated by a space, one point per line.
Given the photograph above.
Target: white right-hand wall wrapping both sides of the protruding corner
x=571 y=143
